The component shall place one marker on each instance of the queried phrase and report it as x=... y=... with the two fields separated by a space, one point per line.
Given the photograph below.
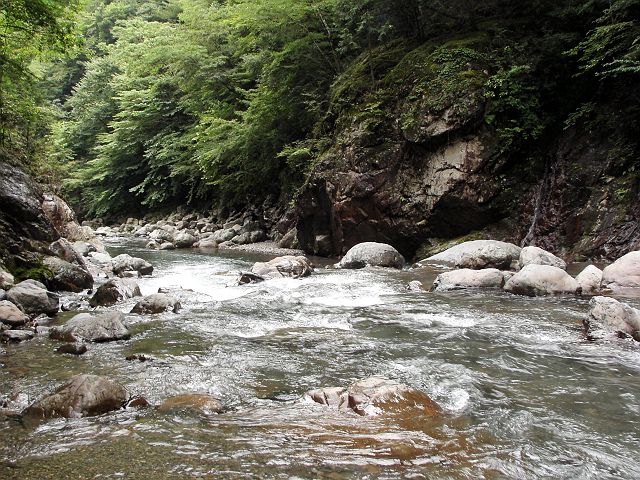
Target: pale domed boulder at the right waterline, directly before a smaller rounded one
x=537 y=280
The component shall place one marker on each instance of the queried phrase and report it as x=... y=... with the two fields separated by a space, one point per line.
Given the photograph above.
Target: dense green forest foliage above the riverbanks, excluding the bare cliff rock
x=132 y=106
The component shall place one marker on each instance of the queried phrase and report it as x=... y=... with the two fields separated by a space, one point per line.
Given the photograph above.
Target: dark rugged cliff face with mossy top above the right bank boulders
x=421 y=163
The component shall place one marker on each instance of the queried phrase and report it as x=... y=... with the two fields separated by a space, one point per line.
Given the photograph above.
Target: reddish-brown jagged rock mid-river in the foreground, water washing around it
x=378 y=396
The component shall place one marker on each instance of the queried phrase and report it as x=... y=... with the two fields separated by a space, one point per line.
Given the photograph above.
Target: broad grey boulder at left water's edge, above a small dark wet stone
x=106 y=327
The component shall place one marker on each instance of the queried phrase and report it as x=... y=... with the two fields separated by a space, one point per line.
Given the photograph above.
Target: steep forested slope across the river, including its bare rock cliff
x=403 y=121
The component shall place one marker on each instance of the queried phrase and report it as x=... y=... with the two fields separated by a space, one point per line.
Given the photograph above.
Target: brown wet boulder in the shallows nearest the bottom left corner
x=81 y=396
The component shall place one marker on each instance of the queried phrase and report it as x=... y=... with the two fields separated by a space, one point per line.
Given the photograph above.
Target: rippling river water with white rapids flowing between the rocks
x=524 y=394
